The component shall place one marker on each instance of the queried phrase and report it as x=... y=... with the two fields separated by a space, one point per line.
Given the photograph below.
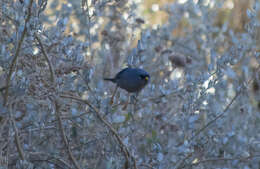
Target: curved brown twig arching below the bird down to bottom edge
x=113 y=131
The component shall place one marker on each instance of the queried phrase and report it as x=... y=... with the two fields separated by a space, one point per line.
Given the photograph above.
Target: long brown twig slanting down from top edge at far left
x=11 y=70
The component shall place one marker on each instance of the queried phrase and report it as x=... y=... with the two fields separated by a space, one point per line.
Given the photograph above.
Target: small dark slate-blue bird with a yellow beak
x=133 y=80
